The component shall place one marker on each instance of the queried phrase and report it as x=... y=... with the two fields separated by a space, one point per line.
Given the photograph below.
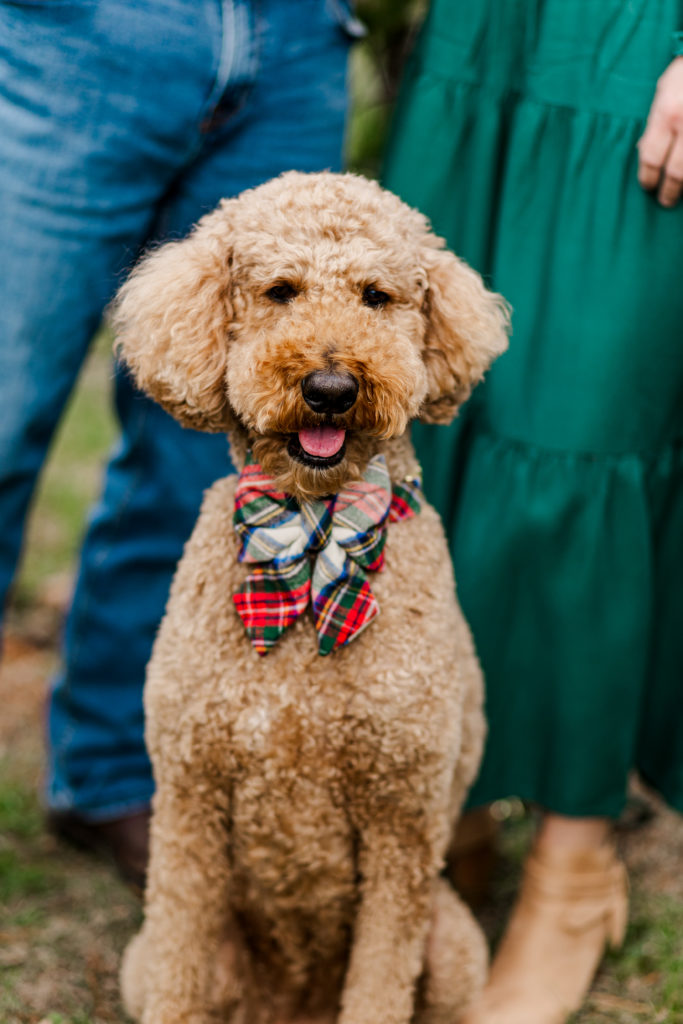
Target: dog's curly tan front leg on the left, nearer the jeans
x=172 y=970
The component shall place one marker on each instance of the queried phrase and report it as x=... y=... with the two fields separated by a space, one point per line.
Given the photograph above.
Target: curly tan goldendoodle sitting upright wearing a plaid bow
x=314 y=701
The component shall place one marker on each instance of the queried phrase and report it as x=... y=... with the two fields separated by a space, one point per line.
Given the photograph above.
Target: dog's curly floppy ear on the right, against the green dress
x=467 y=329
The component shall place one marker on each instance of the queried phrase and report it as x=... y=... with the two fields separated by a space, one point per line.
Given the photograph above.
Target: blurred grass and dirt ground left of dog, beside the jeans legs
x=64 y=919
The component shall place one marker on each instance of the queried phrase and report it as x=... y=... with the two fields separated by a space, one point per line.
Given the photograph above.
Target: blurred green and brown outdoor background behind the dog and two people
x=64 y=918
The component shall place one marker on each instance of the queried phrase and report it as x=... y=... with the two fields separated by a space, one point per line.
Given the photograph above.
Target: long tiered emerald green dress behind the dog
x=562 y=482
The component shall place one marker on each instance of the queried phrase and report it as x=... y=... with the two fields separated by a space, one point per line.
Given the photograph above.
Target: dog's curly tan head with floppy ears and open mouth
x=316 y=315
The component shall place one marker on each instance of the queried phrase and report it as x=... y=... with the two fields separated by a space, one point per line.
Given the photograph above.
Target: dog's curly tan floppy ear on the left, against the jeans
x=173 y=320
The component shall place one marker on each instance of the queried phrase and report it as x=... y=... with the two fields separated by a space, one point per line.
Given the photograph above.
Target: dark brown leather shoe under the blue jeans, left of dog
x=125 y=841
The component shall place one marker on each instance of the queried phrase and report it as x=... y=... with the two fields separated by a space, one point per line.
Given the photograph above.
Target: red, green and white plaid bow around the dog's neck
x=316 y=552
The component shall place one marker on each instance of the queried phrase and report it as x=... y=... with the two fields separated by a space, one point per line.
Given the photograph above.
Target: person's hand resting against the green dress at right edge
x=661 y=147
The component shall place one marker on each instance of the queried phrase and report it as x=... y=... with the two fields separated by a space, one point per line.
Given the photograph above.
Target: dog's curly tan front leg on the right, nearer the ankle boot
x=398 y=869
